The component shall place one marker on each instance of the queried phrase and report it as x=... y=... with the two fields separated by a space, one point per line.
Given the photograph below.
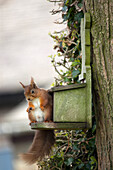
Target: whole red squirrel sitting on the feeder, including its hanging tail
x=39 y=109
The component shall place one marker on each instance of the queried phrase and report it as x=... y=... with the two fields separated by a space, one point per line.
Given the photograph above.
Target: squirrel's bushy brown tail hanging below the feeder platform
x=41 y=146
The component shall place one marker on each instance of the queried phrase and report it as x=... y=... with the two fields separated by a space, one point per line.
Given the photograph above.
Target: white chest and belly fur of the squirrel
x=39 y=114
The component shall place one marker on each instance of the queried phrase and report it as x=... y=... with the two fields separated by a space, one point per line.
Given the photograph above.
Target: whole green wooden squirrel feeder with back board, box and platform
x=72 y=104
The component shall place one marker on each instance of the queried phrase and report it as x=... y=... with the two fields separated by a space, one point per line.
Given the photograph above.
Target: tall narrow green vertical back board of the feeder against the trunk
x=87 y=23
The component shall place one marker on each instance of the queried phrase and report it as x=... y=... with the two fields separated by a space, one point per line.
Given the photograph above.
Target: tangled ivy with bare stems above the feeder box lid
x=67 y=61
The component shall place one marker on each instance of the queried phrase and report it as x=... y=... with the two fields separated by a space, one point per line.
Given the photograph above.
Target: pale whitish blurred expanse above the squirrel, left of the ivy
x=25 y=43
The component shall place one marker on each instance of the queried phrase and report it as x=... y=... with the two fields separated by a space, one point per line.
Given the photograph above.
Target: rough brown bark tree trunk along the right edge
x=102 y=69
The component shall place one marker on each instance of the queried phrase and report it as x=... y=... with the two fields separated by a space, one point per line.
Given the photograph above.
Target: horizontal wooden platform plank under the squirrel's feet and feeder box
x=58 y=126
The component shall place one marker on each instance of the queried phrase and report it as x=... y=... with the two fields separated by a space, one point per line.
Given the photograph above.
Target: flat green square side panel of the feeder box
x=70 y=105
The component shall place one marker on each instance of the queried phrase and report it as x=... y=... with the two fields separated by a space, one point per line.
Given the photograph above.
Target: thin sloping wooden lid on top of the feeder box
x=68 y=87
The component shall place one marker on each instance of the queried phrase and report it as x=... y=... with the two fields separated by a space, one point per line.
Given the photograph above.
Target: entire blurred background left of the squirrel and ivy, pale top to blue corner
x=24 y=49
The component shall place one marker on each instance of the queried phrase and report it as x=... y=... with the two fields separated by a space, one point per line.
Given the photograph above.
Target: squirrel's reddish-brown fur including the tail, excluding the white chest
x=43 y=140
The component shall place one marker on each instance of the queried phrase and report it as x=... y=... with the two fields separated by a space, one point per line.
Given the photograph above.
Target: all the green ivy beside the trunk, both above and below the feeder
x=73 y=150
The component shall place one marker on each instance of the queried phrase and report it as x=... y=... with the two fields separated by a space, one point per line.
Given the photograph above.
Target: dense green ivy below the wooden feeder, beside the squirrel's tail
x=74 y=150
